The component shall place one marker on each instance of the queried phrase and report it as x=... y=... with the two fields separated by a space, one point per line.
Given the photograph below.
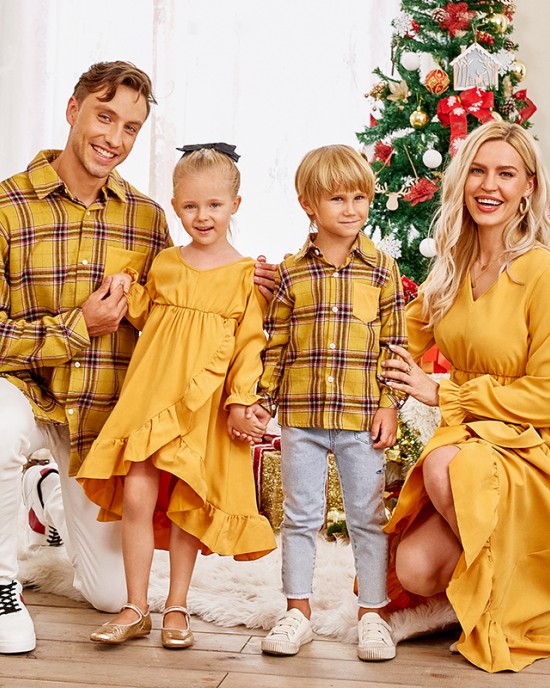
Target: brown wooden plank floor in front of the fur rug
x=229 y=658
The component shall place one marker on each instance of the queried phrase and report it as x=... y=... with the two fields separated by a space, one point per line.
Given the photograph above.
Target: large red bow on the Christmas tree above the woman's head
x=453 y=111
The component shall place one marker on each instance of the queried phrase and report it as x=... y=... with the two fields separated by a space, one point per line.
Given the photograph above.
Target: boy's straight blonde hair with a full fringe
x=326 y=170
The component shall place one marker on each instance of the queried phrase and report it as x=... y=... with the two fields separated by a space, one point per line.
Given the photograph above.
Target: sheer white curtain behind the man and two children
x=274 y=77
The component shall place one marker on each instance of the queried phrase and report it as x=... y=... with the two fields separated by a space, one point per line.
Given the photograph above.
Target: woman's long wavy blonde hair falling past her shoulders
x=455 y=233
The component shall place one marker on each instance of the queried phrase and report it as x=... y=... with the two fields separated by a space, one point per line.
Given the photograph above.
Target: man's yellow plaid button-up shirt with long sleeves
x=54 y=253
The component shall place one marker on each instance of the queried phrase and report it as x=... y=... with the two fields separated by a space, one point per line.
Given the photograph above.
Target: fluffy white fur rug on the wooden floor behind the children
x=231 y=593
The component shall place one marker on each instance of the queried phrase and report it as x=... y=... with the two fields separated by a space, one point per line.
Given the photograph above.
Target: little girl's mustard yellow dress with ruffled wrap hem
x=202 y=334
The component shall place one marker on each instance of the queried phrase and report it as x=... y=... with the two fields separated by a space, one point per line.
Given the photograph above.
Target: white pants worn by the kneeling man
x=95 y=549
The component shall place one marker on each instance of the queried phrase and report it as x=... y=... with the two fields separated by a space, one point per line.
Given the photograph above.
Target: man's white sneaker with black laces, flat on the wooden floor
x=16 y=626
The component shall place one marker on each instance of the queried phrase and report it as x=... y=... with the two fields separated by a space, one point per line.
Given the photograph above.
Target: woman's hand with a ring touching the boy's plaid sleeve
x=405 y=375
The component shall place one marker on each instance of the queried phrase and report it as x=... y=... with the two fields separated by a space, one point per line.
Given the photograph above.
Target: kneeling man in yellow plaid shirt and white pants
x=66 y=223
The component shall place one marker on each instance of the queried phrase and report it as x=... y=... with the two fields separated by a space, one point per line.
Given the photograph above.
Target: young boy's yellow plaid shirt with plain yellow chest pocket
x=328 y=332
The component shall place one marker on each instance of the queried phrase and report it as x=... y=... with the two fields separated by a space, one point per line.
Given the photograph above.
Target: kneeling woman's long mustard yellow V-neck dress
x=496 y=408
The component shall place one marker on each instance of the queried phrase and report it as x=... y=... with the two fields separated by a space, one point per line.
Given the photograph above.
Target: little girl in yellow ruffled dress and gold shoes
x=165 y=462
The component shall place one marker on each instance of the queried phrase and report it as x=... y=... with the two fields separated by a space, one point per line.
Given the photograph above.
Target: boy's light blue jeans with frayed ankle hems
x=361 y=469
